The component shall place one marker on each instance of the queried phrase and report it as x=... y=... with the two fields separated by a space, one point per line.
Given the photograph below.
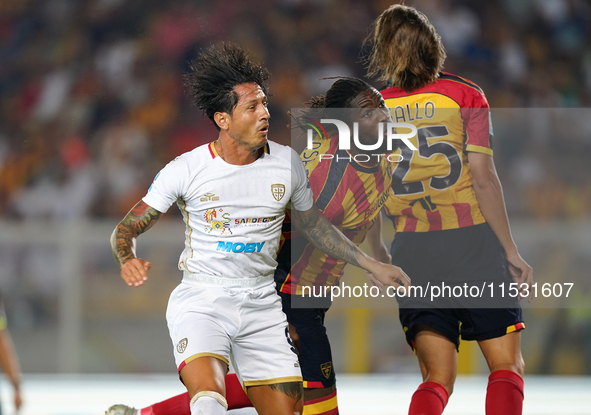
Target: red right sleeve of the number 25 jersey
x=479 y=131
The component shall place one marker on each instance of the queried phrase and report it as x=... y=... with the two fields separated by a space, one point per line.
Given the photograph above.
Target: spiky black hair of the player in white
x=216 y=72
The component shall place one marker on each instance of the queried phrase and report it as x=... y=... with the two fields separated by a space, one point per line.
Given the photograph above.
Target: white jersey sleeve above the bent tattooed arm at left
x=168 y=185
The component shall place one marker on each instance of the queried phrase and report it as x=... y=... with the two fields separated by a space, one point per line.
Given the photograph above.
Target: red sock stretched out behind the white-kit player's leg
x=179 y=405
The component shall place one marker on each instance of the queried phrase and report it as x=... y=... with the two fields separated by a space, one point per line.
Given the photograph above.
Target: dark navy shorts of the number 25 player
x=472 y=255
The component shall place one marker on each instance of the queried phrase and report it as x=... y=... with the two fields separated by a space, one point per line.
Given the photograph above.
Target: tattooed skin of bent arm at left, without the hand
x=139 y=219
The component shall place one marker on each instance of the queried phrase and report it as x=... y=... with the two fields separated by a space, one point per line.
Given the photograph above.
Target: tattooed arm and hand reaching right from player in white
x=327 y=238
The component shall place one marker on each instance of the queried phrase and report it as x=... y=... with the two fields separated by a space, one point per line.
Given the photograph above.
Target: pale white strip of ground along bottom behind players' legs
x=358 y=395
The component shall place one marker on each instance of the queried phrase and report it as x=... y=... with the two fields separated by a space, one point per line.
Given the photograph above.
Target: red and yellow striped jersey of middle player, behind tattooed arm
x=350 y=195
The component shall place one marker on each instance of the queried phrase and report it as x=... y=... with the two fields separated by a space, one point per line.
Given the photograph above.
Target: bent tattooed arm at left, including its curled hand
x=134 y=271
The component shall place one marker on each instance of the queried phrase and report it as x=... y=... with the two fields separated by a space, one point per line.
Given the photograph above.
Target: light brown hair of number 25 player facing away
x=407 y=51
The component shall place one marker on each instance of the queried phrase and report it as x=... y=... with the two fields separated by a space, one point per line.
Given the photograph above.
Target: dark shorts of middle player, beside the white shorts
x=314 y=348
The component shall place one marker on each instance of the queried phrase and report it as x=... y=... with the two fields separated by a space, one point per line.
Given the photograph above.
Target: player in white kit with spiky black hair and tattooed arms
x=233 y=194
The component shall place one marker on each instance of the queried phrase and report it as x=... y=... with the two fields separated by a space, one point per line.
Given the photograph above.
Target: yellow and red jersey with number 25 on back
x=432 y=187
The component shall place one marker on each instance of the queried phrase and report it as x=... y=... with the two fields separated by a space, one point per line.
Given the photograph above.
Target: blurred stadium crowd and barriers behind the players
x=92 y=106
